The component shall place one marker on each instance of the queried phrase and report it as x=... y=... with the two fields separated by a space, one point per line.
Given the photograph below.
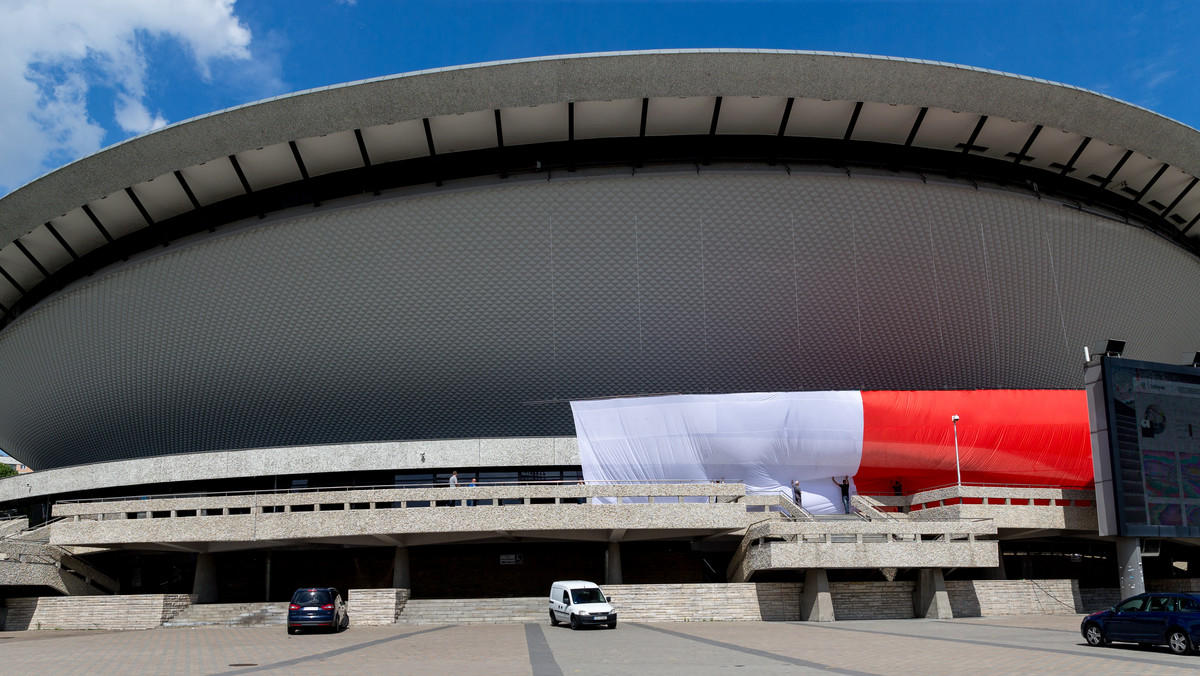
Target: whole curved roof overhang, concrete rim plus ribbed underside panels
x=559 y=112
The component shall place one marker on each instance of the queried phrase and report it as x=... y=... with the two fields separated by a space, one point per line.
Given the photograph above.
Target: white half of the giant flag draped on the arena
x=766 y=440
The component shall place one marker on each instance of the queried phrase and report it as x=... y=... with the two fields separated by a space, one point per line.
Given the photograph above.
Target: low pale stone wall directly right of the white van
x=735 y=602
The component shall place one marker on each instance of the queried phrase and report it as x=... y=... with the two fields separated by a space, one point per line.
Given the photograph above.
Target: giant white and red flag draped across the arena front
x=769 y=440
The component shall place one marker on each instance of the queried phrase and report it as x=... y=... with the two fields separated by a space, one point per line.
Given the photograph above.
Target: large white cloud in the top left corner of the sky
x=53 y=52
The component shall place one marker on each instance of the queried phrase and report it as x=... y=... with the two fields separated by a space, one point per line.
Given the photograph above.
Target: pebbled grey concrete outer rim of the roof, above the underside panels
x=598 y=77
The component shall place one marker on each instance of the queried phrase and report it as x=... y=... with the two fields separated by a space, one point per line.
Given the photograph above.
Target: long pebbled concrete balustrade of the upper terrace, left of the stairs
x=356 y=516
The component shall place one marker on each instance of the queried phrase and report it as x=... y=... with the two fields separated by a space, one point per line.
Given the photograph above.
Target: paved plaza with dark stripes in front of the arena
x=979 y=647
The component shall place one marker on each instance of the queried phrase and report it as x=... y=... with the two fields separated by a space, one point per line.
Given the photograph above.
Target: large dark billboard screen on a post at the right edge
x=1147 y=447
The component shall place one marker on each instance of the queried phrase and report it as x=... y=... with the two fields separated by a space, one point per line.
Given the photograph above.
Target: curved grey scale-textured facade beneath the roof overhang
x=481 y=312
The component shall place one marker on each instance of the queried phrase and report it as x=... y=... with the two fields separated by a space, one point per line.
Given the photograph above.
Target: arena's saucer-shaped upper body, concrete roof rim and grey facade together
x=478 y=308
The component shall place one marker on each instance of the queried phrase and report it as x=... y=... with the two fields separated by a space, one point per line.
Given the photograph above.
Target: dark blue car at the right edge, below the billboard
x=1148 y=620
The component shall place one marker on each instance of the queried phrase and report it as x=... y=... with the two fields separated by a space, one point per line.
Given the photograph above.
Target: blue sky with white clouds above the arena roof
x=82 y=75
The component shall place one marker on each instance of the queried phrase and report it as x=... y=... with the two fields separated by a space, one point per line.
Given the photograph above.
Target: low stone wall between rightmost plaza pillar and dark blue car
x=983 y=599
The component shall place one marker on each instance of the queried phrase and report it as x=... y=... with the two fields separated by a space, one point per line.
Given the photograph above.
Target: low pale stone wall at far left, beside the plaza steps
x=141 y=612
